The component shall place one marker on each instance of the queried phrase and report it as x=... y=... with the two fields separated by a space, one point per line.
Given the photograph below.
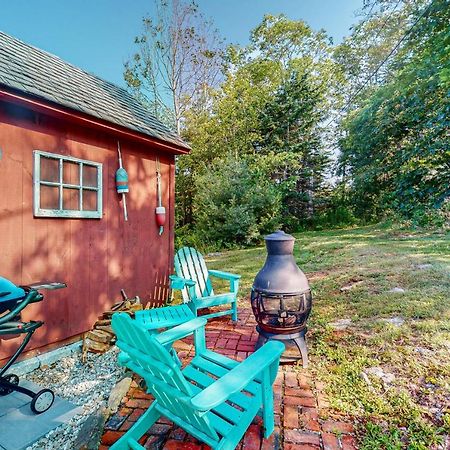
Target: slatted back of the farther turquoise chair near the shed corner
x=189 y=263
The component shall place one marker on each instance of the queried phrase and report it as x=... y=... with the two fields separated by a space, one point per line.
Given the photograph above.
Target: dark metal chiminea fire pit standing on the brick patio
x=281 y=299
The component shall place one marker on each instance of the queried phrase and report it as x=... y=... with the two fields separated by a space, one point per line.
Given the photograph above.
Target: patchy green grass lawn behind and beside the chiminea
x=409 y=407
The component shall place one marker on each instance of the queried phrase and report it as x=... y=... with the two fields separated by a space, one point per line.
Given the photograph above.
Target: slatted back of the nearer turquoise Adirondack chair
x=162 y=374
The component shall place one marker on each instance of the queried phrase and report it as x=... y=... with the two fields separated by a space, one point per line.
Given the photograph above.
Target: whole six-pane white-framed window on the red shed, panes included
x=66 y=187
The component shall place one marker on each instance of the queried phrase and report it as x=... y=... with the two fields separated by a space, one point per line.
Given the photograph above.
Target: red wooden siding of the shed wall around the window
x=95 y=257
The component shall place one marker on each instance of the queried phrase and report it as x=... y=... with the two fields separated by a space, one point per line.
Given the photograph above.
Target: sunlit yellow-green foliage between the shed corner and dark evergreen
x=229 y=128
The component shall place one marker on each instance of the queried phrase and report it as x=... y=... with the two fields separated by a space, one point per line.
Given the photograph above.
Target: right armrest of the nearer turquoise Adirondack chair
x=238 y=377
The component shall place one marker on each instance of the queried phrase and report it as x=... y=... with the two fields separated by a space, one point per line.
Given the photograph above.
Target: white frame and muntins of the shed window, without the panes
x=40 y=212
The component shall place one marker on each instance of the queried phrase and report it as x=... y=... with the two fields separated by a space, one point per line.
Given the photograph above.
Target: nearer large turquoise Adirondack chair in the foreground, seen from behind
x=214 y=398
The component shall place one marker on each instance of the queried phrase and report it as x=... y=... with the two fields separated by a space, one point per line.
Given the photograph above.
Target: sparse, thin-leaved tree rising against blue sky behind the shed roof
x=178 y=61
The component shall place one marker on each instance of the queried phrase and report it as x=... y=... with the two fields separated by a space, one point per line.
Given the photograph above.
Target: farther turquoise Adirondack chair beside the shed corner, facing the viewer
x=194 y=280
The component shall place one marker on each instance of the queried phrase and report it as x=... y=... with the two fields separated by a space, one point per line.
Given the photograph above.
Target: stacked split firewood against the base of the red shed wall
x=102 y=337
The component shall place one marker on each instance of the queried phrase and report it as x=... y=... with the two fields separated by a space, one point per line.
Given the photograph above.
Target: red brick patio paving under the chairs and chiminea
x=302 y=420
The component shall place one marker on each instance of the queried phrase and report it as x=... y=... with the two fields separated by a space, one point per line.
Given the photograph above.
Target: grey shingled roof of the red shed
x=40 y=74
